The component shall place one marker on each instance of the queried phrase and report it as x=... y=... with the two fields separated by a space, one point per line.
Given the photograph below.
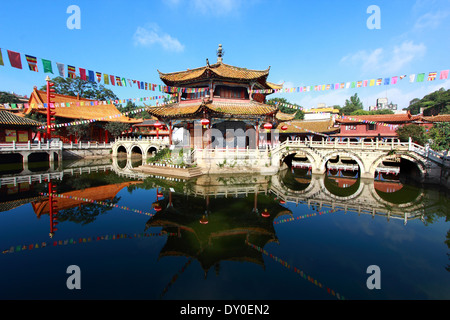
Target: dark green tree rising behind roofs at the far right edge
x=437 y=102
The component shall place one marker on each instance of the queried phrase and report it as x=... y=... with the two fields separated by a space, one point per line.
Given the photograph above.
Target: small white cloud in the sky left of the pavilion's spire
x=152 y=35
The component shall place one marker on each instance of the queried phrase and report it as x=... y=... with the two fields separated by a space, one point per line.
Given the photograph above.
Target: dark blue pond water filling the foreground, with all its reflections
x=290 y=236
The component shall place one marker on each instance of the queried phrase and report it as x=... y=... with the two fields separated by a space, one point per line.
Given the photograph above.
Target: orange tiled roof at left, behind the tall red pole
x=74 y=111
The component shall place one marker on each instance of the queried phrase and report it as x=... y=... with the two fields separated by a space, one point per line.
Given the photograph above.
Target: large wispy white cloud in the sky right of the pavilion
x=380 y=59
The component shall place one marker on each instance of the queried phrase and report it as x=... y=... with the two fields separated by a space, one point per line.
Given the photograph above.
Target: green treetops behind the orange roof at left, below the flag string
x=85 y=89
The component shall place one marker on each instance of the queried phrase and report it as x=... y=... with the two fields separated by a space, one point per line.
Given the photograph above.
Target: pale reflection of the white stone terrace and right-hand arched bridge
x=364 y=199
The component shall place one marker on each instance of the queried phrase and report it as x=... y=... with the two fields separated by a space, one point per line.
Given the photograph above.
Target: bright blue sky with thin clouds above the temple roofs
x=303 y=42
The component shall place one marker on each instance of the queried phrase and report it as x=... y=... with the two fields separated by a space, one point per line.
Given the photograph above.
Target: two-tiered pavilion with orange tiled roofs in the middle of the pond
x=219 y=96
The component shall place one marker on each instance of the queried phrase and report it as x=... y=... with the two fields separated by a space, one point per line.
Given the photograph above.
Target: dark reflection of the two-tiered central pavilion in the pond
x=213 y=229
